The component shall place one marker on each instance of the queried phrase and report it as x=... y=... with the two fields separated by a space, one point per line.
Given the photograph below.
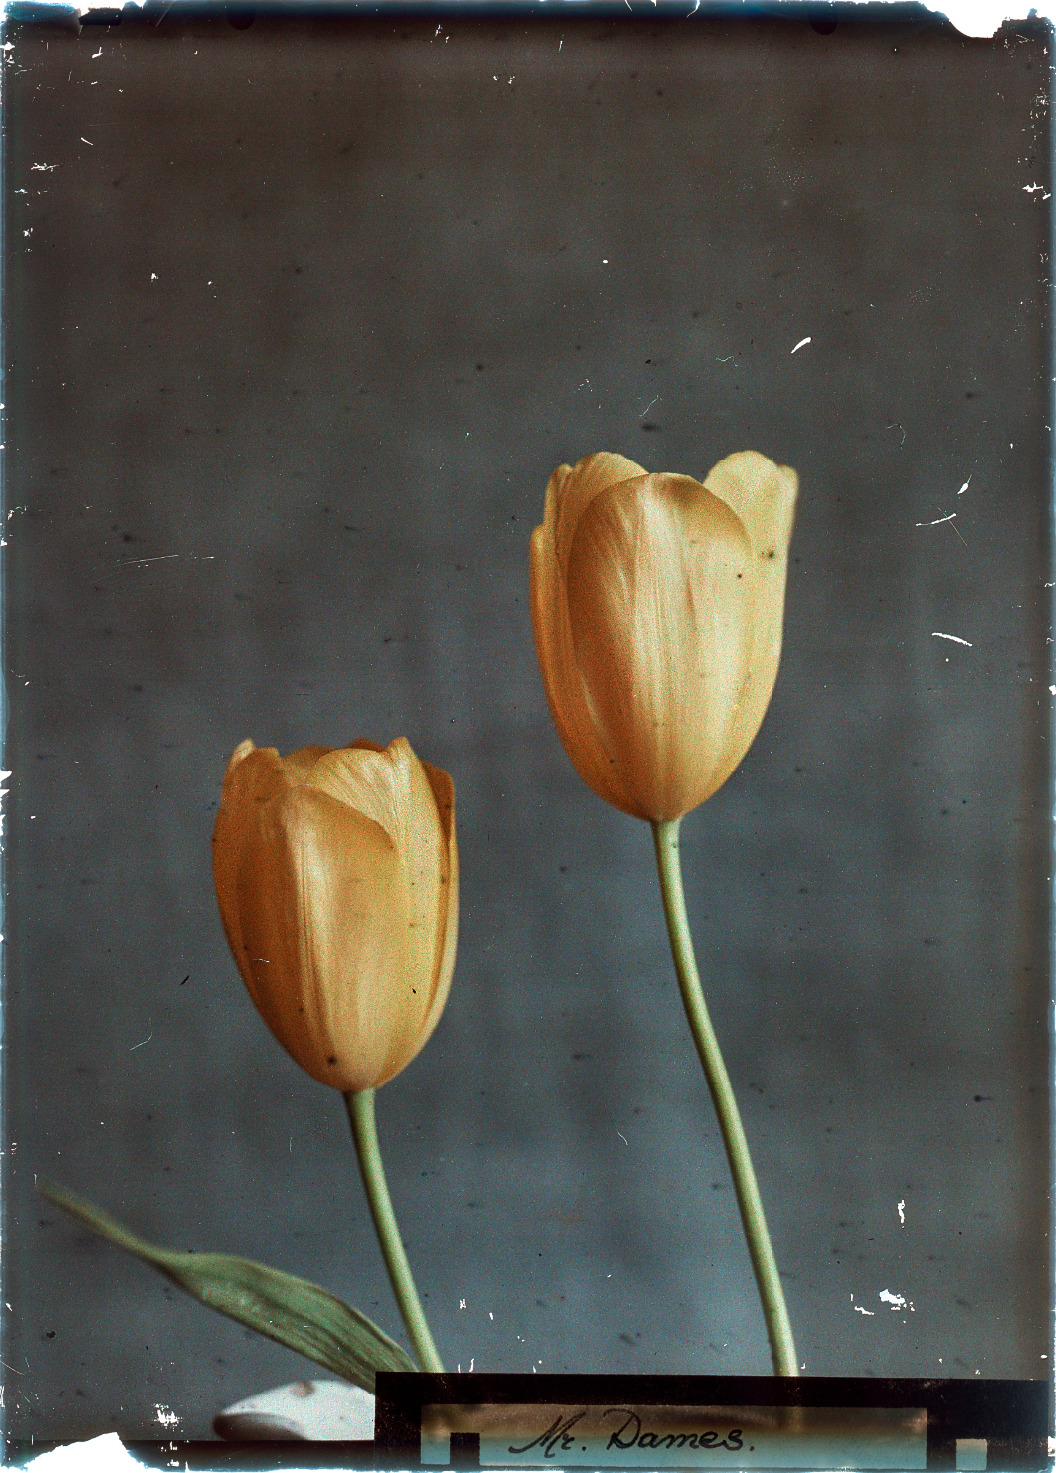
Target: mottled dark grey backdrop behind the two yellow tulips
x=300 y=320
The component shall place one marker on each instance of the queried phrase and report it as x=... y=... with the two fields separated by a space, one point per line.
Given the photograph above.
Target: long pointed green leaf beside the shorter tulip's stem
x=289 y=1310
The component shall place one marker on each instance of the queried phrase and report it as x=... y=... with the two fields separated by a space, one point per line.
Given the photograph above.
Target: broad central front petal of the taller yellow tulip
x=661 y=587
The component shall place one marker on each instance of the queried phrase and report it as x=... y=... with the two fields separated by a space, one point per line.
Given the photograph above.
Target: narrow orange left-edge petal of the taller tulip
x=562 y=680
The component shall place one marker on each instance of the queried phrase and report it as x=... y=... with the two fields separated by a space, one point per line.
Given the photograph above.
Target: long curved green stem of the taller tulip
x=669 y=867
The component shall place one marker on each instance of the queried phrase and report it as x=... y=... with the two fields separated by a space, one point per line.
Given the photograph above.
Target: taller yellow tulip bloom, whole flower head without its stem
x=658 y=609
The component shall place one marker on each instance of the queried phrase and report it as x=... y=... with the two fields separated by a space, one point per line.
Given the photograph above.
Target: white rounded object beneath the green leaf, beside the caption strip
x=303 y=1412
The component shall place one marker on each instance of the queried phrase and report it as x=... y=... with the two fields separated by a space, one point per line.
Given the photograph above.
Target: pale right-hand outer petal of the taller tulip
x=764 y=497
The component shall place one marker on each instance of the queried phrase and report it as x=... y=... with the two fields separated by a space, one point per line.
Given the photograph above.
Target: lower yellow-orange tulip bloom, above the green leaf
x=338 y=885
